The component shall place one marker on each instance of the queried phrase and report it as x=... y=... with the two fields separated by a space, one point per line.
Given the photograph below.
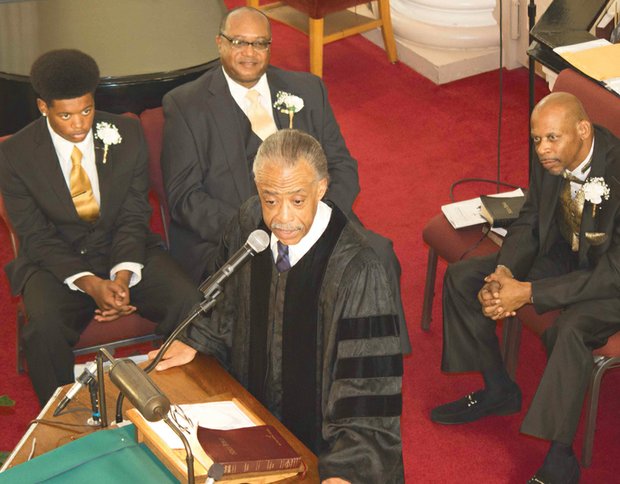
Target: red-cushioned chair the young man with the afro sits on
x=127 y=330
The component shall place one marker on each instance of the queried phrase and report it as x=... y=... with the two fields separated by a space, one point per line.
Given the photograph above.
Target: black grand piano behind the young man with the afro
x=144 y=48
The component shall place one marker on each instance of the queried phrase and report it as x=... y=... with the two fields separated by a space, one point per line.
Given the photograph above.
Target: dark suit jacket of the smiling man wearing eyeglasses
x=204 y=159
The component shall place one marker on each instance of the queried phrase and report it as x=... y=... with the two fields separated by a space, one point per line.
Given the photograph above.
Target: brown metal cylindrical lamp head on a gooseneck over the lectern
x=132 y=381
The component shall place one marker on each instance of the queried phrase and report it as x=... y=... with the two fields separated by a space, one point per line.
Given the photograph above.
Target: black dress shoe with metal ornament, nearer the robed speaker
x=477 y=405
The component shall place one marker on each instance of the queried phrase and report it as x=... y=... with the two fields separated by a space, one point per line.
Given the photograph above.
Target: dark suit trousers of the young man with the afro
x=57 y=316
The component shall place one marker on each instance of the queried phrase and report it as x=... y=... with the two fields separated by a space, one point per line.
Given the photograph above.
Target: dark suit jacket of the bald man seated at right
x=535 y=232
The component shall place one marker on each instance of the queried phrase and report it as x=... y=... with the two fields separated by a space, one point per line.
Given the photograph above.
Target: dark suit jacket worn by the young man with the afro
x=52 y=236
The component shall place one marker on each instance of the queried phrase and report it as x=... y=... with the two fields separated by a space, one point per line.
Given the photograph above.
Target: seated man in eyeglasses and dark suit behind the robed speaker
x=214 y=126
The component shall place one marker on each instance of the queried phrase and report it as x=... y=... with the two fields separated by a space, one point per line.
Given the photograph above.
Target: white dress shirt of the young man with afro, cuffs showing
x=64 y=148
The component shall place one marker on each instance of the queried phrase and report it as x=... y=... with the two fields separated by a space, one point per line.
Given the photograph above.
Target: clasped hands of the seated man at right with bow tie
x=502 y=294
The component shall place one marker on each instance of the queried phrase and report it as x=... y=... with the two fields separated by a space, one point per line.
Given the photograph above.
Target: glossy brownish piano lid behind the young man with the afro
x=126 y=37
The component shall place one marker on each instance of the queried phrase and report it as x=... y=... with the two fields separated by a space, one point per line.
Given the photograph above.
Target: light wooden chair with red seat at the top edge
x=321 y=32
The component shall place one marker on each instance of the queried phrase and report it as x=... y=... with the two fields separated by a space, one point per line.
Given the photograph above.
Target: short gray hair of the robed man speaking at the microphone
x=287 y=147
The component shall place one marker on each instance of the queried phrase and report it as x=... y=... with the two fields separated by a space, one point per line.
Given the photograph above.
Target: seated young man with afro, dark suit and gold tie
x=75 y=185
